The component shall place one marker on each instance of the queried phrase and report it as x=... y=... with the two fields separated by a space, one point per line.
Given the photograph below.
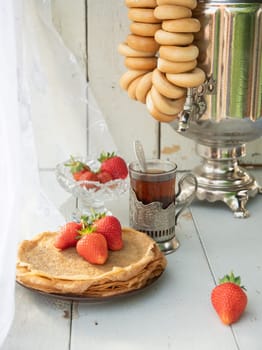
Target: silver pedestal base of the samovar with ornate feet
x=220 y=178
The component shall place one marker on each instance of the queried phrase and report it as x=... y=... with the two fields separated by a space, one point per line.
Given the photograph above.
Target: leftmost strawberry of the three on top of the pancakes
x=67 y=236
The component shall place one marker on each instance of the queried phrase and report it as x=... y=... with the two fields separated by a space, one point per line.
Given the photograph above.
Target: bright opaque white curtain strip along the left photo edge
x=10 y=155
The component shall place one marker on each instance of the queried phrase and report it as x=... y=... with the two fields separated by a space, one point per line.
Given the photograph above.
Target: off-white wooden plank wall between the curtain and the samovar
x=106 y=25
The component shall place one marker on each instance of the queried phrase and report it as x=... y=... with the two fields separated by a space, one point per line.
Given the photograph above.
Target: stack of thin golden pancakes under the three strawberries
x=42 y=267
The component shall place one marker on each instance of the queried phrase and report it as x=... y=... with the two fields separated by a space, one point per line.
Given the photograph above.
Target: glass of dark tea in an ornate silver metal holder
x=154 y=198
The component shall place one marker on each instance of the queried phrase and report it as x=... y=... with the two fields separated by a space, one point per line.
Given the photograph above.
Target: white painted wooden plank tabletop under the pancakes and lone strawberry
x=173 y=313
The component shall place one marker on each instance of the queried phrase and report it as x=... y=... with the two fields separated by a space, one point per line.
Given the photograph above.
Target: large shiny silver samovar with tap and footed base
x=225 y=112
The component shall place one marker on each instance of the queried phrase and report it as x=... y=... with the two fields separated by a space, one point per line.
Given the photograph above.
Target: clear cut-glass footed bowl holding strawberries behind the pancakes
x=91 y=194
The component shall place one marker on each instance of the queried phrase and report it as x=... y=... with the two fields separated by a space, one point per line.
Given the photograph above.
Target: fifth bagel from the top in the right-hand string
x=179 y=53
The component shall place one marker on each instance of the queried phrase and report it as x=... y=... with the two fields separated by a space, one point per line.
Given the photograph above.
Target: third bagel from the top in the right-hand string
x=182 y=25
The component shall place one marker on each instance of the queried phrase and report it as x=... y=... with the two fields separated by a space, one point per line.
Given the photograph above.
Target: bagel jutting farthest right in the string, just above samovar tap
x=189 y=79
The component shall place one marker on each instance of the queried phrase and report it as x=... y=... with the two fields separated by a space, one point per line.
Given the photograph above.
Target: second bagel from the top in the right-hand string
x=172 y=12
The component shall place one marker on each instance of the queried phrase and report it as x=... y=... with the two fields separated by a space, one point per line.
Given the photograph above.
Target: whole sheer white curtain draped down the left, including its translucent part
x=29 y=77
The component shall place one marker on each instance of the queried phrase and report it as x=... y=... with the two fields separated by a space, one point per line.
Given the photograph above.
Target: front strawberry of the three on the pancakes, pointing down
x=93 y=248
